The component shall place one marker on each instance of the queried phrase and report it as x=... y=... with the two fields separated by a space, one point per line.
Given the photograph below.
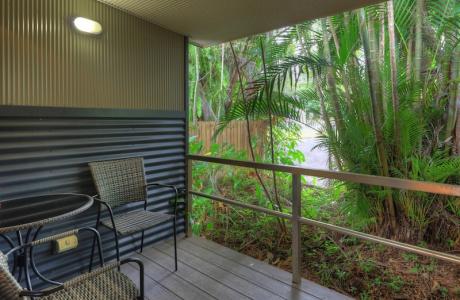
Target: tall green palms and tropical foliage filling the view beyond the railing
x=381 y=85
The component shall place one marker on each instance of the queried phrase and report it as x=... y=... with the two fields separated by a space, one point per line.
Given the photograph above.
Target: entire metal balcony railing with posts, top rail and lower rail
x=296 y=217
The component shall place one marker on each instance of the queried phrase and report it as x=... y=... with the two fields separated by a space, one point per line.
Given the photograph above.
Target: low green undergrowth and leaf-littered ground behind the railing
x=361 y=269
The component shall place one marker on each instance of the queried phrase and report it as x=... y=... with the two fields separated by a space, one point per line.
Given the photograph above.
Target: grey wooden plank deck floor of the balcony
x=210 y=271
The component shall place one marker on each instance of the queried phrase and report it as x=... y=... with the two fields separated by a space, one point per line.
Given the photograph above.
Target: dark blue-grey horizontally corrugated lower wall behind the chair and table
x=45 y=150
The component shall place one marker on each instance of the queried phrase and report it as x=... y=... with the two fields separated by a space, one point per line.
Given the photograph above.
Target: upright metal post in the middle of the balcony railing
x=296 y=241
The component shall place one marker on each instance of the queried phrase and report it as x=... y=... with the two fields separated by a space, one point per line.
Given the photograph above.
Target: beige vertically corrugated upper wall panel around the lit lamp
x=44 y=62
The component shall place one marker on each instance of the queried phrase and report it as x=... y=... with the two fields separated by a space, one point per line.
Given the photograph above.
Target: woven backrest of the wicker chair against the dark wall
x=120 y=181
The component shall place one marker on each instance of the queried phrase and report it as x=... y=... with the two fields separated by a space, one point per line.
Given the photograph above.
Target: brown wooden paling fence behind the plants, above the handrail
x=234 y=134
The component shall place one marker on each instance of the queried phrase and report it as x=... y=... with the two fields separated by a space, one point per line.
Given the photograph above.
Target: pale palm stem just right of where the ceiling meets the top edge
x=394 y=80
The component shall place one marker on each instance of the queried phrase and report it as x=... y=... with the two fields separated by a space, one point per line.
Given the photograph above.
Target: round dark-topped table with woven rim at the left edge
x=34 y=212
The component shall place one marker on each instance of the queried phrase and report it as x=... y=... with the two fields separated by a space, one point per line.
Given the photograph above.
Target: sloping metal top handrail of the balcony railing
x=397 y=183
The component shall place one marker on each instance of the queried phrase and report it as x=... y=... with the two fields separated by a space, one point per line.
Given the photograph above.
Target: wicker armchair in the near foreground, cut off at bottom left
x=104 y=283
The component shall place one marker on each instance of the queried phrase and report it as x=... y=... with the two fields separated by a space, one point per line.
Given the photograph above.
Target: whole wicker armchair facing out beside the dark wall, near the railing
x=119 y=182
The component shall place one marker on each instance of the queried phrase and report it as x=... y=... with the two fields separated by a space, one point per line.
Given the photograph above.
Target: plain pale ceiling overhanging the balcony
x=209 y=22
